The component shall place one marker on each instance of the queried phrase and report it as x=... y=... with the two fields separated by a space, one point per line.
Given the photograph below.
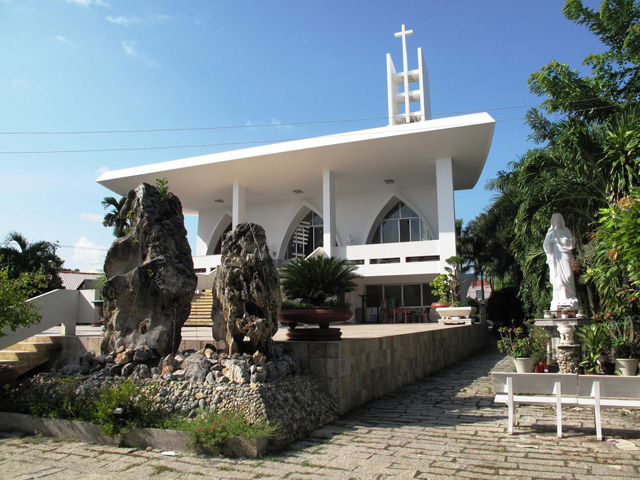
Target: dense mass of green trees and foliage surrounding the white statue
x=584 y=165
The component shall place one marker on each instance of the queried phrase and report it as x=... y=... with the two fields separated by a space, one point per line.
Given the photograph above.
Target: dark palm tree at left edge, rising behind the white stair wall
x=21 y=256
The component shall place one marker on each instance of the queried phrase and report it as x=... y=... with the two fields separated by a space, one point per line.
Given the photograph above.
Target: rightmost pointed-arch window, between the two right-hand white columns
x=401 y=224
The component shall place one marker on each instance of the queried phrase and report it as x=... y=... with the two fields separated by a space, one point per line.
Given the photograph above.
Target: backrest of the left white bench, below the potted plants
x=536 y=383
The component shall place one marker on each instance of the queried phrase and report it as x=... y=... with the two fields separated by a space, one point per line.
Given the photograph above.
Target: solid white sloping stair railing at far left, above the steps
x=58 y=307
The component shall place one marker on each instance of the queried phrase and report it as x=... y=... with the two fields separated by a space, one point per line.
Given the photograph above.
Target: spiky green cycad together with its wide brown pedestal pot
x=314 y=290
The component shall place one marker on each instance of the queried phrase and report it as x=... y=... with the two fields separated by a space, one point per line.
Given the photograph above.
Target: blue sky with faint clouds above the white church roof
x=105 y=65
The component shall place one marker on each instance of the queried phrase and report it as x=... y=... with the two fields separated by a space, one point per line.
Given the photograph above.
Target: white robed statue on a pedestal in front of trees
x=558 y=245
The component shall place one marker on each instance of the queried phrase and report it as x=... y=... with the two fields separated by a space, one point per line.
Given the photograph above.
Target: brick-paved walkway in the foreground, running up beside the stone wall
x=444 y=426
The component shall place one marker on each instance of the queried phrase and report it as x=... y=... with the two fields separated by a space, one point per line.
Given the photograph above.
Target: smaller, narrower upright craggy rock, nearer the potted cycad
x=246 y=292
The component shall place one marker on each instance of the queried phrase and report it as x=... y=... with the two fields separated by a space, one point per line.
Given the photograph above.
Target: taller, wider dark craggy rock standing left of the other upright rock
x=147 y=297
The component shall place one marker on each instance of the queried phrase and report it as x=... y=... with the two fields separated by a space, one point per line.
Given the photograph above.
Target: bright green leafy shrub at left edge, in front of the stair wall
x=15 y=312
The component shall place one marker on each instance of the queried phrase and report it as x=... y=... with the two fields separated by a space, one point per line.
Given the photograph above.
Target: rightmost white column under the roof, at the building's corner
x=446 y=210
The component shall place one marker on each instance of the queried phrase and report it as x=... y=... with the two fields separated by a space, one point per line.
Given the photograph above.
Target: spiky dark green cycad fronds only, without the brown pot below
x=314 y=280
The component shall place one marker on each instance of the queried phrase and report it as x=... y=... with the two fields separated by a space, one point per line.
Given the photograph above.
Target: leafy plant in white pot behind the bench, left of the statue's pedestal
x=526 y=345
